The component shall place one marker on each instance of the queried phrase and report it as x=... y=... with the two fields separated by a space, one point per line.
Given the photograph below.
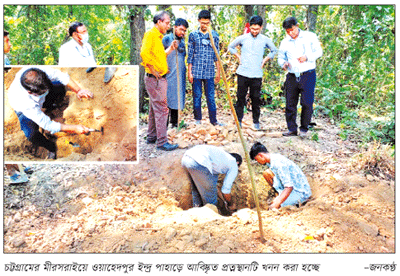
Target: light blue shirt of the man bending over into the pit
x=217 y=161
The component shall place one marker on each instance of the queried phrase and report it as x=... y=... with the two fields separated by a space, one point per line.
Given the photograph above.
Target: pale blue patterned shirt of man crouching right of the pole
x=288 y=174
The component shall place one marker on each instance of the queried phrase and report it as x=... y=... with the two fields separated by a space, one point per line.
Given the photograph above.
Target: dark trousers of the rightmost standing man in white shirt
x=304 y=86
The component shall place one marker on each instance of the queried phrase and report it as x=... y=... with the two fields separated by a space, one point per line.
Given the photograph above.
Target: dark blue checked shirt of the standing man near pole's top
x=201 y=54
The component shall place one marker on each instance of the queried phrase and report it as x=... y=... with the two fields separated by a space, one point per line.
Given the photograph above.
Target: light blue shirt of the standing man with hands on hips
x=252 y=53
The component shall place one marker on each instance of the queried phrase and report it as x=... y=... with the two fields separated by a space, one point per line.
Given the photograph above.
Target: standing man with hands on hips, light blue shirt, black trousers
x=249 y=73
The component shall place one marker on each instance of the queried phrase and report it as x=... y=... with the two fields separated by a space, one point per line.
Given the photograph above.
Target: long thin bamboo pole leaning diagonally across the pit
x=246 y=153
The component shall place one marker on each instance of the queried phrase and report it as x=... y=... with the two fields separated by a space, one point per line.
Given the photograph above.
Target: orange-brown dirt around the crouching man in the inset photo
x=114 y=107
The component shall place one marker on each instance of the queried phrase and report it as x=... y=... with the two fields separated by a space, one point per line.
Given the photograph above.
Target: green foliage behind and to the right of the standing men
x=355 y=76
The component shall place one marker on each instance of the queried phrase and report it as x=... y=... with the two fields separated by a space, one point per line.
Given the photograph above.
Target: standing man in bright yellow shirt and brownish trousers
x=154 y=59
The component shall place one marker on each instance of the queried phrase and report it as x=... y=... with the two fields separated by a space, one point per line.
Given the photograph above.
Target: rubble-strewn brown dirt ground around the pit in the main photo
x=146 y=208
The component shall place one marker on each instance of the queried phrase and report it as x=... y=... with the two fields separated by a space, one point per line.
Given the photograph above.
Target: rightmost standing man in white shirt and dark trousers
x=298 y=53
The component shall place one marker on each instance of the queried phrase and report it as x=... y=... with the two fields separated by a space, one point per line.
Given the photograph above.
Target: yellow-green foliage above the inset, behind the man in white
x=37 y=32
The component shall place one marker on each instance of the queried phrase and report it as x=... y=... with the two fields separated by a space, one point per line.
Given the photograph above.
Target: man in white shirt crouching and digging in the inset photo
x=37 y=88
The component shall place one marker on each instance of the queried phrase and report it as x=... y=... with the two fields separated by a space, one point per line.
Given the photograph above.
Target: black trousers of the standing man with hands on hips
x=244 y=84
